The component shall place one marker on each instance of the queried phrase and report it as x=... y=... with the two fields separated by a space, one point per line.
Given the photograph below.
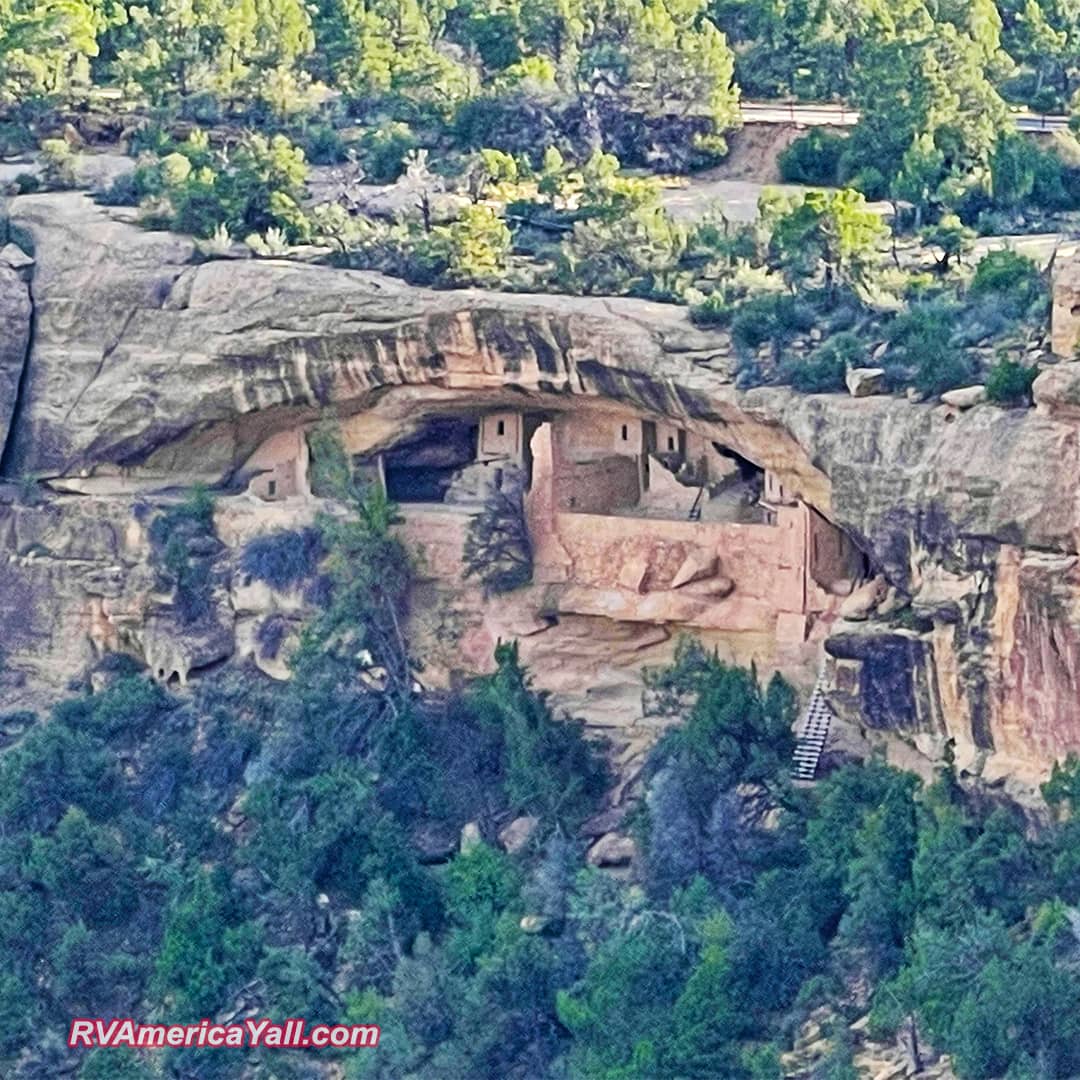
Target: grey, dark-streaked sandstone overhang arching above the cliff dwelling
x=152 y=369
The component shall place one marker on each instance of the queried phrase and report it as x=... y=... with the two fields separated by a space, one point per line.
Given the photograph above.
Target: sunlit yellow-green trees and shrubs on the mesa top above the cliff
x=525 y=146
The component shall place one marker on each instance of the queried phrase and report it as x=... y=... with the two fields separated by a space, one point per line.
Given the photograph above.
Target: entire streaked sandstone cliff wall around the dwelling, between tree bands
x=150 y=371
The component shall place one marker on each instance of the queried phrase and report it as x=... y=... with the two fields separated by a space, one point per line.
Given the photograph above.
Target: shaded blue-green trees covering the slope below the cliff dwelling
x=295 y=849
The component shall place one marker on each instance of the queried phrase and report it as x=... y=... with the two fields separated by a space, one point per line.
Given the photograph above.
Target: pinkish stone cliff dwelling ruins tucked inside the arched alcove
x=634 y=521
